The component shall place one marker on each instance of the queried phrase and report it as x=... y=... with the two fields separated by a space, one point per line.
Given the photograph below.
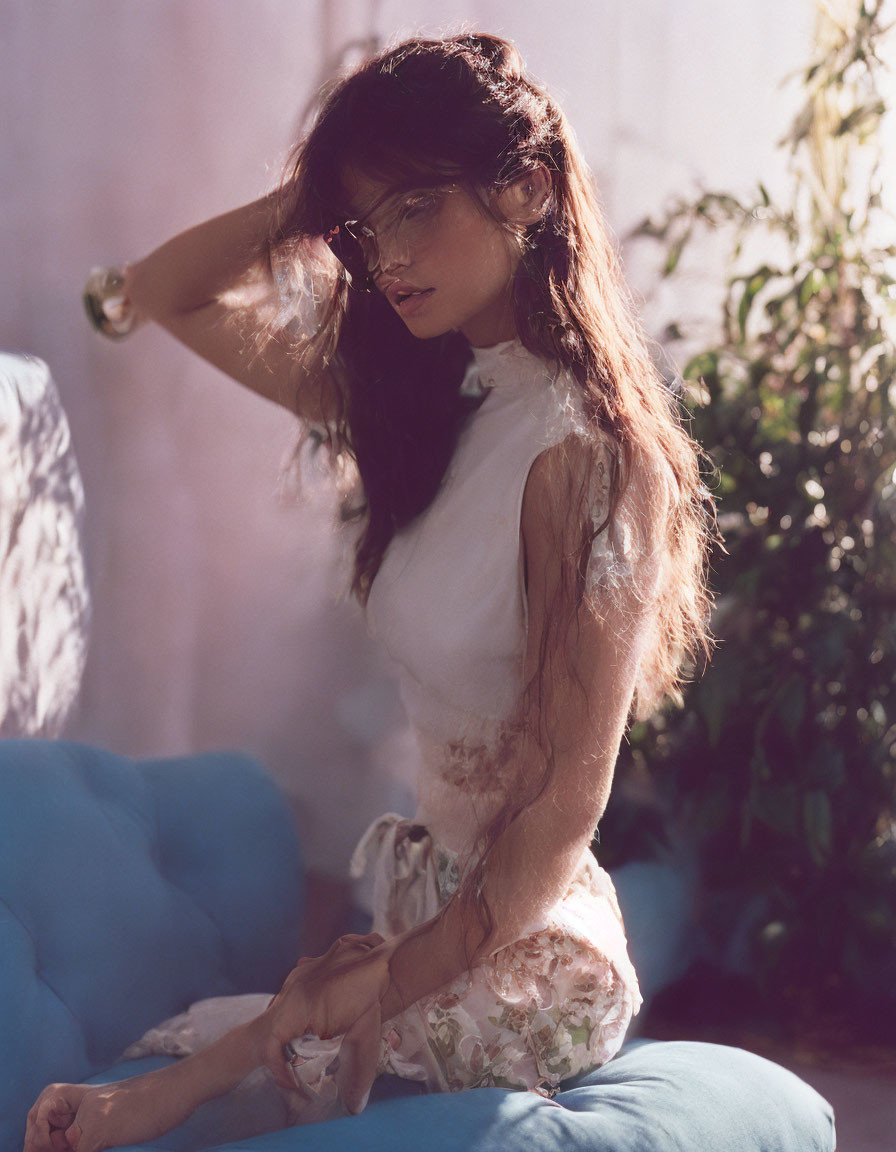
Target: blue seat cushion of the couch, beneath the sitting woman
x=654 y=1097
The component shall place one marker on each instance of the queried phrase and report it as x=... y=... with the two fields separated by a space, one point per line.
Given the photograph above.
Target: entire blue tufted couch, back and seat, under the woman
x=130 y=890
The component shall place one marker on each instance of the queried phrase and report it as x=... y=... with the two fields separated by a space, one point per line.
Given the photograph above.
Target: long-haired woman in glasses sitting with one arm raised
x=434 y=293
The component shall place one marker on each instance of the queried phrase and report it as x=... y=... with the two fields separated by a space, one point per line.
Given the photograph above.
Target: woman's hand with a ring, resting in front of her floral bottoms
x=338 y=995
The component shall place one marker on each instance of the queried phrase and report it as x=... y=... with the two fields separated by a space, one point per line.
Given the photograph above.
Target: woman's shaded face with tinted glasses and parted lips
x=444 y=262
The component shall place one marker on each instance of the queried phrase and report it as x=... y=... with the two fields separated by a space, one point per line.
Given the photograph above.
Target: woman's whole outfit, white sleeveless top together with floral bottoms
x=450 y=604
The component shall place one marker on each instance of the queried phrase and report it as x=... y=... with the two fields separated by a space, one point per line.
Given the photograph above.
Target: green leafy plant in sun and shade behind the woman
x=783 y=764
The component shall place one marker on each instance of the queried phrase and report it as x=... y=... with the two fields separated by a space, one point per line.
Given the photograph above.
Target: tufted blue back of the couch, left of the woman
x=127 y=891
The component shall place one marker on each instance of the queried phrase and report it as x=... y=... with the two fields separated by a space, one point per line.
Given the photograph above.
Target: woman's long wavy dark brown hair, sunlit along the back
x=464 y=110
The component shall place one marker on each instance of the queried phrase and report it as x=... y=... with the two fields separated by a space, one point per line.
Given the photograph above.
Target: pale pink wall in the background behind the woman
x=125 y=123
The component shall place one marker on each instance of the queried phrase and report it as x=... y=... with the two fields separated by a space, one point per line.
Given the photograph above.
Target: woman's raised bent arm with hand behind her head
x=214 y=289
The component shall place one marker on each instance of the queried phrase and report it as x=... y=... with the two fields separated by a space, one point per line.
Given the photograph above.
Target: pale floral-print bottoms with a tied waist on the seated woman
x=549 y=1006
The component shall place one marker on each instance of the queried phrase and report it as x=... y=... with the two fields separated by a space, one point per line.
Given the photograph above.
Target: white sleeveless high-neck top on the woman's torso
x=450 y=598
